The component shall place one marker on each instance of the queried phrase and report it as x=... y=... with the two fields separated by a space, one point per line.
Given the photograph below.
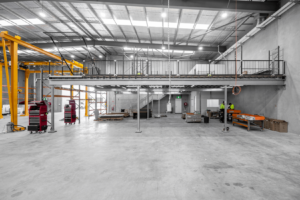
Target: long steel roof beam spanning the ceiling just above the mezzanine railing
x=128 y=44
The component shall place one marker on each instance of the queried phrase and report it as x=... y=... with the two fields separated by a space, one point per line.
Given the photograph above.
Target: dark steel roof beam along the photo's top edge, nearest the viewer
x=243 y=6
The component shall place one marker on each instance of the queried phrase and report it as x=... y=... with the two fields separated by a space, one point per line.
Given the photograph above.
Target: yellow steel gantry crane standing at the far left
x=12 y=44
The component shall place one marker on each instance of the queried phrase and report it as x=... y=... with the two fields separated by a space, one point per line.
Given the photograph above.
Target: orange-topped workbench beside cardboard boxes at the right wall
x=247 y=120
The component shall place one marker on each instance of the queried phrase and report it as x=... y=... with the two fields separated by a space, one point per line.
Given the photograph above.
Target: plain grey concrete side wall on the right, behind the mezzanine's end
x=280 y=103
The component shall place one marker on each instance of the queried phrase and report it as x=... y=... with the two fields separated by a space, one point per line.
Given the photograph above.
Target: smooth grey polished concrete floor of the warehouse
x=170 y=159
